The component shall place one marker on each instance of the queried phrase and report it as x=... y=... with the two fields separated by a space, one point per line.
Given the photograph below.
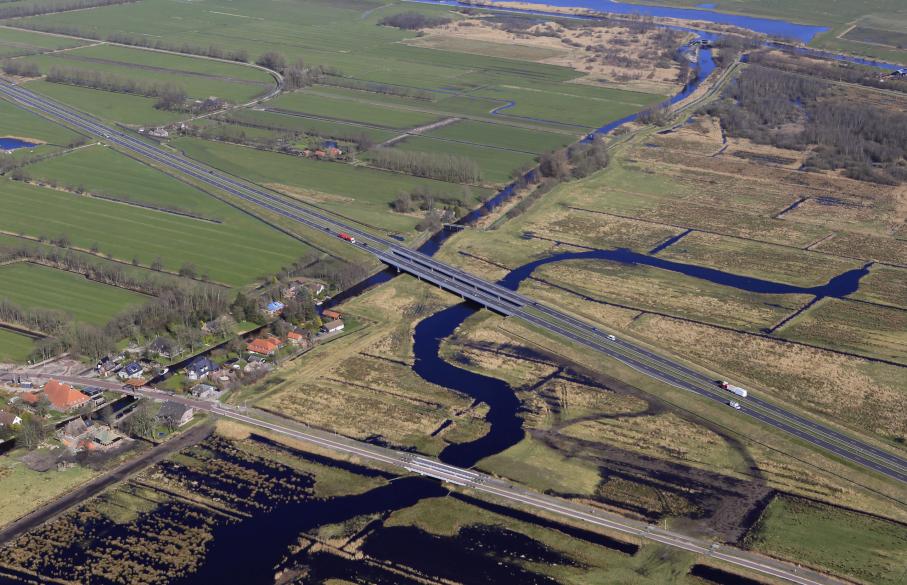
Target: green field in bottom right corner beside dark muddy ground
x=856 y=546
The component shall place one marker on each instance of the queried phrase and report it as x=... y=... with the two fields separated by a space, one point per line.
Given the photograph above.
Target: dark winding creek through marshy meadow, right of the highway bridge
x=838 y=287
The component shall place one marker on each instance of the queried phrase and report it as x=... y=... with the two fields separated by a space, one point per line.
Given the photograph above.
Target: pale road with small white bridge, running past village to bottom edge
x=471 y=480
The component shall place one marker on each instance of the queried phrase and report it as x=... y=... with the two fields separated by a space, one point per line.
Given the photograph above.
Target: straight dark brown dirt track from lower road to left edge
x=99 y=484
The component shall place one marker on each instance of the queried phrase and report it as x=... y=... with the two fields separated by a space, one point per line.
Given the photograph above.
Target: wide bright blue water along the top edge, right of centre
x=776 y=28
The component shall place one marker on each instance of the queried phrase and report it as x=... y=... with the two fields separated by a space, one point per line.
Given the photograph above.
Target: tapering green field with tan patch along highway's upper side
x=360 y=193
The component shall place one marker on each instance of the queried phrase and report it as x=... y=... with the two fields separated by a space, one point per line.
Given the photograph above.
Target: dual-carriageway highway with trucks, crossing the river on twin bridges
x=491 y=295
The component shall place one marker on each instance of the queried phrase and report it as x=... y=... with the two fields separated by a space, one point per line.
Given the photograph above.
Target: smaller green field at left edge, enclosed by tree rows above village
x=33 y=286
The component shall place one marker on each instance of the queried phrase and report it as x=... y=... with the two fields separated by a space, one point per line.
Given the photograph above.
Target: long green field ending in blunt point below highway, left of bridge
x=235 y=252
